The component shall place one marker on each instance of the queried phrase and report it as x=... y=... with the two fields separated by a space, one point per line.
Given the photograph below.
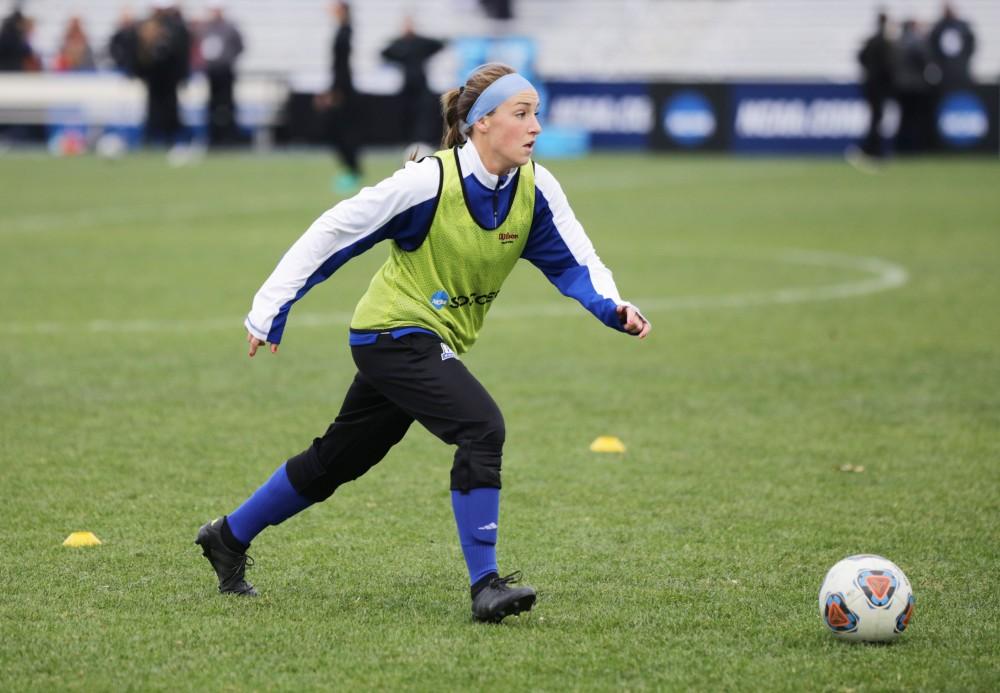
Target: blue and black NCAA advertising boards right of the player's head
x=759 y=117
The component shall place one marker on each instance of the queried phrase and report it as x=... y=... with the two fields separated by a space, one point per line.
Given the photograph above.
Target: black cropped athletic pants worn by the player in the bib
x=401 y=380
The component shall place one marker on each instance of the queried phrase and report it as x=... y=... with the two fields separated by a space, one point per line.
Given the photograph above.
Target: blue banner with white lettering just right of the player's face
x=616 y=114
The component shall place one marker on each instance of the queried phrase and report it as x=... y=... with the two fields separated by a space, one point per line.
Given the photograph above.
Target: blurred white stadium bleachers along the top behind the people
x=576 y=38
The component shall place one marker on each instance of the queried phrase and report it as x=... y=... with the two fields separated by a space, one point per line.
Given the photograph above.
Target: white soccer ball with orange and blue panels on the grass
x=866 y=597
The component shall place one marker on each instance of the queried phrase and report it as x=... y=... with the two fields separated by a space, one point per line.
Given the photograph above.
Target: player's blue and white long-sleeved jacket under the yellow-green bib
x=401 y=208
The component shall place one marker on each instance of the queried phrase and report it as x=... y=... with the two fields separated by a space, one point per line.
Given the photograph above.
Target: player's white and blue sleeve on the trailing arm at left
x=340 y=233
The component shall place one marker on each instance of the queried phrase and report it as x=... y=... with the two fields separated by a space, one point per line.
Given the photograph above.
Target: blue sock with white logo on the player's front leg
x=476 y=514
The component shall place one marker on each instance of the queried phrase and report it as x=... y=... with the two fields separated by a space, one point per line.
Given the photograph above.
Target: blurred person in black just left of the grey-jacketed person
x=162 y=62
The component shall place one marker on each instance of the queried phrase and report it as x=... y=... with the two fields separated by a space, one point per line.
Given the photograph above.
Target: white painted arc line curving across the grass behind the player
x=882 y=276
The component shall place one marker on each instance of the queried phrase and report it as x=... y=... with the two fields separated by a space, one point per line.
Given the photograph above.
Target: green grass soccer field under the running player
x=806 y=318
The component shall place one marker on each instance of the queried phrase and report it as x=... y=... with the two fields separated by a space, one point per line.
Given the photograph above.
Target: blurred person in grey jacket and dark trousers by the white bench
x=219 y=45
